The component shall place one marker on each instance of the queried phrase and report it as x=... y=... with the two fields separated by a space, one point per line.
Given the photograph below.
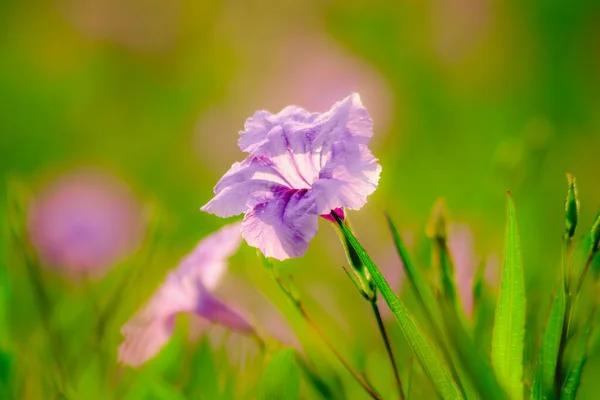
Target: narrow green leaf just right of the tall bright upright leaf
x=543 y=381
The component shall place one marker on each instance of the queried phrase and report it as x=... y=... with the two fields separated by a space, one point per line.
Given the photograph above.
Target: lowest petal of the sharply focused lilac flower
x=282 y=227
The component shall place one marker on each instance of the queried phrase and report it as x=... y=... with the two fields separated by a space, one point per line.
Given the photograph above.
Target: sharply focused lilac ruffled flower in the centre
x=300 y=165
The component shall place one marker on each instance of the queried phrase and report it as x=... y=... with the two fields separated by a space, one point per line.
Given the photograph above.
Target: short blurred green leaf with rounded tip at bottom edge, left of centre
x=281 y=379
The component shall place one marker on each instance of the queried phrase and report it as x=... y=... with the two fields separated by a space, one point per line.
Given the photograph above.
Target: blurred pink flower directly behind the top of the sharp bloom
x=325 y=73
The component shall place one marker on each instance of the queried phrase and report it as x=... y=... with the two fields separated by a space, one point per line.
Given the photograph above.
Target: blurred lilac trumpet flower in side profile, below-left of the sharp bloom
x=187 y=289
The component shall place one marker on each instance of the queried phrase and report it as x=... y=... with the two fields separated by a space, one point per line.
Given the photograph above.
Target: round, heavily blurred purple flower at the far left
x=85 y=222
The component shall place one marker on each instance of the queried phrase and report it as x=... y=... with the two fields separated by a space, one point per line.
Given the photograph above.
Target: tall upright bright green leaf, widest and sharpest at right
x=509 y=325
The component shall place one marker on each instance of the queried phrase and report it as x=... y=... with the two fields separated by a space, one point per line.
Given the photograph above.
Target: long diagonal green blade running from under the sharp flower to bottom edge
x=432 y=364
